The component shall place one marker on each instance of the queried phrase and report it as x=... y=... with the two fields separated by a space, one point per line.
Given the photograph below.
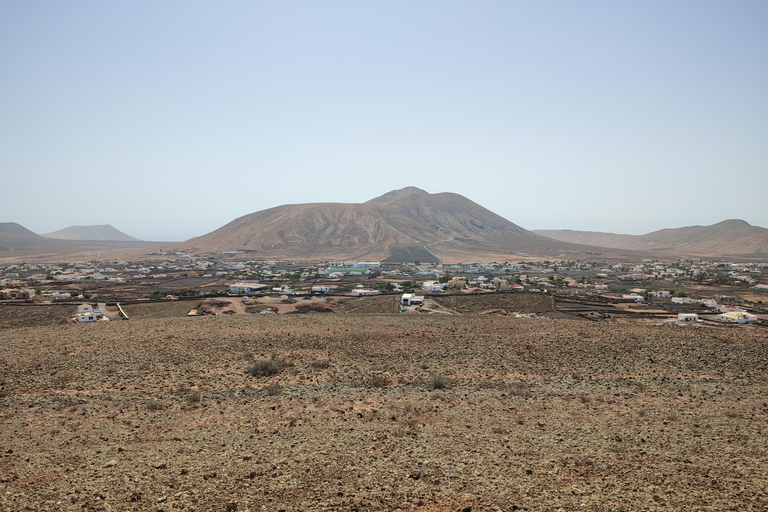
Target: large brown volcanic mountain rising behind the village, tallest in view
x=402 y=225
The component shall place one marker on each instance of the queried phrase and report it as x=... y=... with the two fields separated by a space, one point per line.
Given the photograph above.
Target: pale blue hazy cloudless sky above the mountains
x=168 y=119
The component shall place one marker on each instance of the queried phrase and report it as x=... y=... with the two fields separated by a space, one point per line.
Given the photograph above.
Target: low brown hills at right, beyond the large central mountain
x=732 y=237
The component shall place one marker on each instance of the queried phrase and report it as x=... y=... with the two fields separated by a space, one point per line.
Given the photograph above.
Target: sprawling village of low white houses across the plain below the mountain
x=673 y=292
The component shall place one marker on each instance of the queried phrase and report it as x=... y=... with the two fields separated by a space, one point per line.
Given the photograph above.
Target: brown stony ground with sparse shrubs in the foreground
x=382 y=412
